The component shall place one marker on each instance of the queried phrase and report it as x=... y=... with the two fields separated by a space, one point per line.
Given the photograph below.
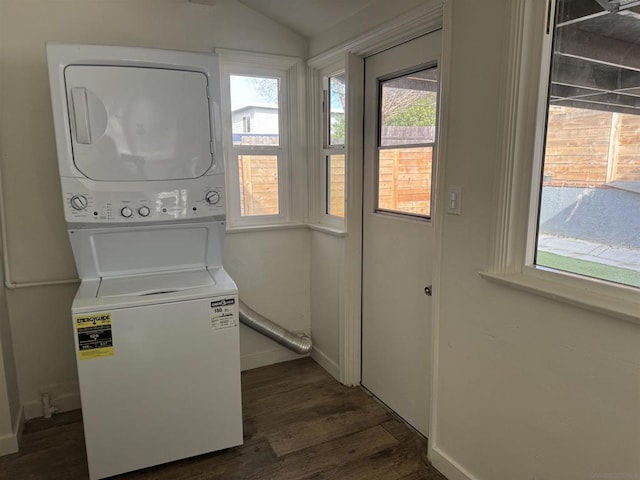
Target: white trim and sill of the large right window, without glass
x=526 y=73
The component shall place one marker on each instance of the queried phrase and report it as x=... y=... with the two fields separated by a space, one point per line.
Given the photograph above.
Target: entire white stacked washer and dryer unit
x=155 y=318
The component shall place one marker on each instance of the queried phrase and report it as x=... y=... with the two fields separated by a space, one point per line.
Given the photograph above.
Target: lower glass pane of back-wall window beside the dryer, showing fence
x=258 y=184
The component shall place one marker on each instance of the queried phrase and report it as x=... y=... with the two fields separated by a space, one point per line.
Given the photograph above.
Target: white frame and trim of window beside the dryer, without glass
x=291 y=167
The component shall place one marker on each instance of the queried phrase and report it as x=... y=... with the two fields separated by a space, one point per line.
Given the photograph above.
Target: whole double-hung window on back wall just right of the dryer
x=258 y=105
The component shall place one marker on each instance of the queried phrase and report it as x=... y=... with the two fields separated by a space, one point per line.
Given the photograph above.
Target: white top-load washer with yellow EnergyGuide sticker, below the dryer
x=159 y=372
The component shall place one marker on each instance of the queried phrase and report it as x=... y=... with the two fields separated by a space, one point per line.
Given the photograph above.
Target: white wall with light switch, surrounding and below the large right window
x=528 y=388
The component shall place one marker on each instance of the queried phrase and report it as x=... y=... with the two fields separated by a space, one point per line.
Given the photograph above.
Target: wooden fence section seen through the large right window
x=588 y=148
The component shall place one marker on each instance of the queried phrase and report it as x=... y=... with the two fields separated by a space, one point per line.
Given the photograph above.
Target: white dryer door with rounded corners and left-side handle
x=136 y=124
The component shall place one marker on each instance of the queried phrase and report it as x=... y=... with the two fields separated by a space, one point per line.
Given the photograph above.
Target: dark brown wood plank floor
x=299 y=423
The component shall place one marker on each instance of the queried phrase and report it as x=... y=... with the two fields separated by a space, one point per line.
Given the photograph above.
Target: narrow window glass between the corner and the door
x=334 y=100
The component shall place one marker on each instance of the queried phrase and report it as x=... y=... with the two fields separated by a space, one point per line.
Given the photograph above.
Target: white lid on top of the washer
x=157 y=284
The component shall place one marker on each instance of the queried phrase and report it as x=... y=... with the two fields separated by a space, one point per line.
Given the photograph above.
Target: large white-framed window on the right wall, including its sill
x=576 y=237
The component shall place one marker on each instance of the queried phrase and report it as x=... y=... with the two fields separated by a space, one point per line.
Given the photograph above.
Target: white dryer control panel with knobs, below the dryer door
x=85 y=202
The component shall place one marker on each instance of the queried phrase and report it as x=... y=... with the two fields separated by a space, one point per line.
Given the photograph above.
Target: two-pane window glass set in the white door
x=408 y=116
